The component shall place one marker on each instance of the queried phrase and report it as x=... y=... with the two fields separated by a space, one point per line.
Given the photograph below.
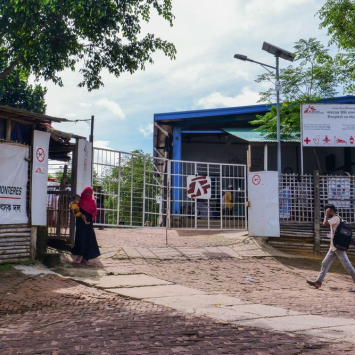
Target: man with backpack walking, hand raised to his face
x=332 y=220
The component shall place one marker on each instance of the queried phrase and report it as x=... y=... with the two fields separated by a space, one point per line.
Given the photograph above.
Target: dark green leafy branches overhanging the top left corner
x=46 y=36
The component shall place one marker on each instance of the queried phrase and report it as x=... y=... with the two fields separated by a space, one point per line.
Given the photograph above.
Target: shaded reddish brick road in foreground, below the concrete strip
x=53 y=315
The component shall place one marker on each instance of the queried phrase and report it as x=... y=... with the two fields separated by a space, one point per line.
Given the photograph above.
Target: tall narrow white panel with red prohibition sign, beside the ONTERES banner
x=39 y=178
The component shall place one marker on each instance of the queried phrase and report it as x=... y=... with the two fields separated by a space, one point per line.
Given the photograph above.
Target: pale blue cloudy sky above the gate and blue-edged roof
x=207 y=34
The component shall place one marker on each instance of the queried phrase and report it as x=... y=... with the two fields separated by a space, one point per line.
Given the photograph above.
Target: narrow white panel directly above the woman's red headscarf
x=84 y=174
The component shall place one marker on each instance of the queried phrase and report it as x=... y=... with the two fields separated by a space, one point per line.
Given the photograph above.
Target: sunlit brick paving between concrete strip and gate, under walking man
x=273 y=284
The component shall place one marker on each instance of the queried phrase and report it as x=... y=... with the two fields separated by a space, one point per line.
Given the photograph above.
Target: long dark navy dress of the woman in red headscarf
x=85 y=238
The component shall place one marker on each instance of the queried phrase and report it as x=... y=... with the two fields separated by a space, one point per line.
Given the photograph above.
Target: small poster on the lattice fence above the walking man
x=339 y=192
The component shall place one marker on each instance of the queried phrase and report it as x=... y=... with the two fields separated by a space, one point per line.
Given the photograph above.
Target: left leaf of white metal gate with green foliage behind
x=130 y=189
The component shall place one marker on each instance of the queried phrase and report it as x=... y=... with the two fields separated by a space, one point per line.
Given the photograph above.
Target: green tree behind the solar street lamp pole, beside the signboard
x=315 y=77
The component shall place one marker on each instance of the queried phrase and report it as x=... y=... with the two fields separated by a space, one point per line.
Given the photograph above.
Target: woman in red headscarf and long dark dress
x=85 y=240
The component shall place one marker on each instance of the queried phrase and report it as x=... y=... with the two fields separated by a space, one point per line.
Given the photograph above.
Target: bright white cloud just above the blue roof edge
x=216 y=99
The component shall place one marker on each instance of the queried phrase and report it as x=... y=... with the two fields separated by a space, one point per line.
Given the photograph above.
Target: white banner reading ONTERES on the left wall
x=13 y=184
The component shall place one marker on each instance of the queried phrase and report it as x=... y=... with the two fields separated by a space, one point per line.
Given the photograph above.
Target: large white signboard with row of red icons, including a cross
x=328 y=125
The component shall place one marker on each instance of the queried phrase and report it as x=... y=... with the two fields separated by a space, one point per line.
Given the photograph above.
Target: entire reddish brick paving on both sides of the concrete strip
x=50 y=314
